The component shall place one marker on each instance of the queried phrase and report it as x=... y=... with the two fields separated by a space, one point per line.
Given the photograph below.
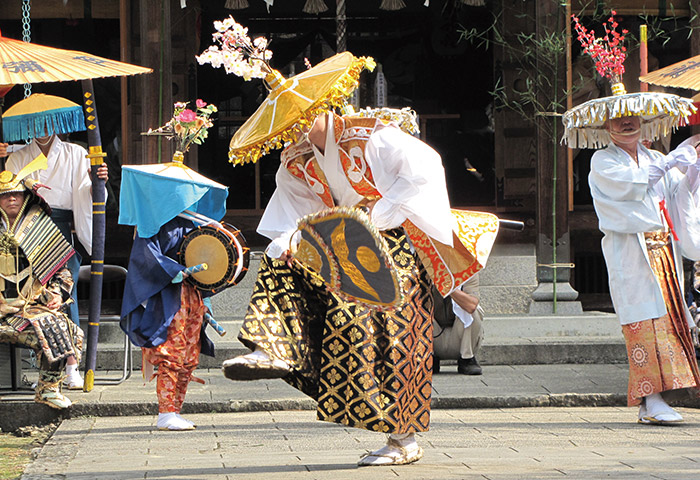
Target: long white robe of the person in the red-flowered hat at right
x=627 y=207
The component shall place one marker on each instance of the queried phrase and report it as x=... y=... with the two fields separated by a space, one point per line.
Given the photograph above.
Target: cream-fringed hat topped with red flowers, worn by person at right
x=660 y=113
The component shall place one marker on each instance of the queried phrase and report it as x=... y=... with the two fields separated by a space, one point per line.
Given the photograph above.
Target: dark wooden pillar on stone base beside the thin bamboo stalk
x=554 y=293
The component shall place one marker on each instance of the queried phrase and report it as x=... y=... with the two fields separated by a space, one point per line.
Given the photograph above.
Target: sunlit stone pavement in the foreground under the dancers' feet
x=494 y=444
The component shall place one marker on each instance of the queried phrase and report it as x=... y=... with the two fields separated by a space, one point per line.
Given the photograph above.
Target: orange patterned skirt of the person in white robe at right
x=660 y=350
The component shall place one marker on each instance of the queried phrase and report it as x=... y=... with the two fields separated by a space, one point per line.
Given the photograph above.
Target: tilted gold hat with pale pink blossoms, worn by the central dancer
x=292 y=104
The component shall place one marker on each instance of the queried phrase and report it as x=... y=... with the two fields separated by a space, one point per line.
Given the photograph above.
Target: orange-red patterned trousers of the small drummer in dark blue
x=178 y=356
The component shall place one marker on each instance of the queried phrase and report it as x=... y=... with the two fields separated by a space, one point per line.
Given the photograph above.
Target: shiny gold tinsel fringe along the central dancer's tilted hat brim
x=336 y=97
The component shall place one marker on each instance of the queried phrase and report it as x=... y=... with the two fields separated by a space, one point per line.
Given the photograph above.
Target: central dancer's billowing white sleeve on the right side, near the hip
x=411 y=179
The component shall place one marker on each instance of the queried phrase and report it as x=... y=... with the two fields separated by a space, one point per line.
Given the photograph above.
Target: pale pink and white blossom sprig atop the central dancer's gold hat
x=237 y=53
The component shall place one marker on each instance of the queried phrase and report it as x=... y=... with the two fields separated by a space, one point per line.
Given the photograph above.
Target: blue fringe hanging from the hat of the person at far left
x=31 y=125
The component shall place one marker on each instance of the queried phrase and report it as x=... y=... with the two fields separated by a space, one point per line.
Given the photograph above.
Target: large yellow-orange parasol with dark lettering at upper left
x=22 y=62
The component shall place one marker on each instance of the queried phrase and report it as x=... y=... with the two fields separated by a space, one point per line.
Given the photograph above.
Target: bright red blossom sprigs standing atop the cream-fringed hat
x=608 y=52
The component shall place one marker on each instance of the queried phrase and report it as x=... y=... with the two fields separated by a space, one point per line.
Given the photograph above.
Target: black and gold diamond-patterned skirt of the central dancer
x=365 y=369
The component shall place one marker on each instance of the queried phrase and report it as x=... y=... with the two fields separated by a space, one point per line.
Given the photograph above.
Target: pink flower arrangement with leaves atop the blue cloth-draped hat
x=187 y=126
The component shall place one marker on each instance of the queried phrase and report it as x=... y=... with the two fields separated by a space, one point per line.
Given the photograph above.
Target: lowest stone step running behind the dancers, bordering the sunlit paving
x=501 y=386
